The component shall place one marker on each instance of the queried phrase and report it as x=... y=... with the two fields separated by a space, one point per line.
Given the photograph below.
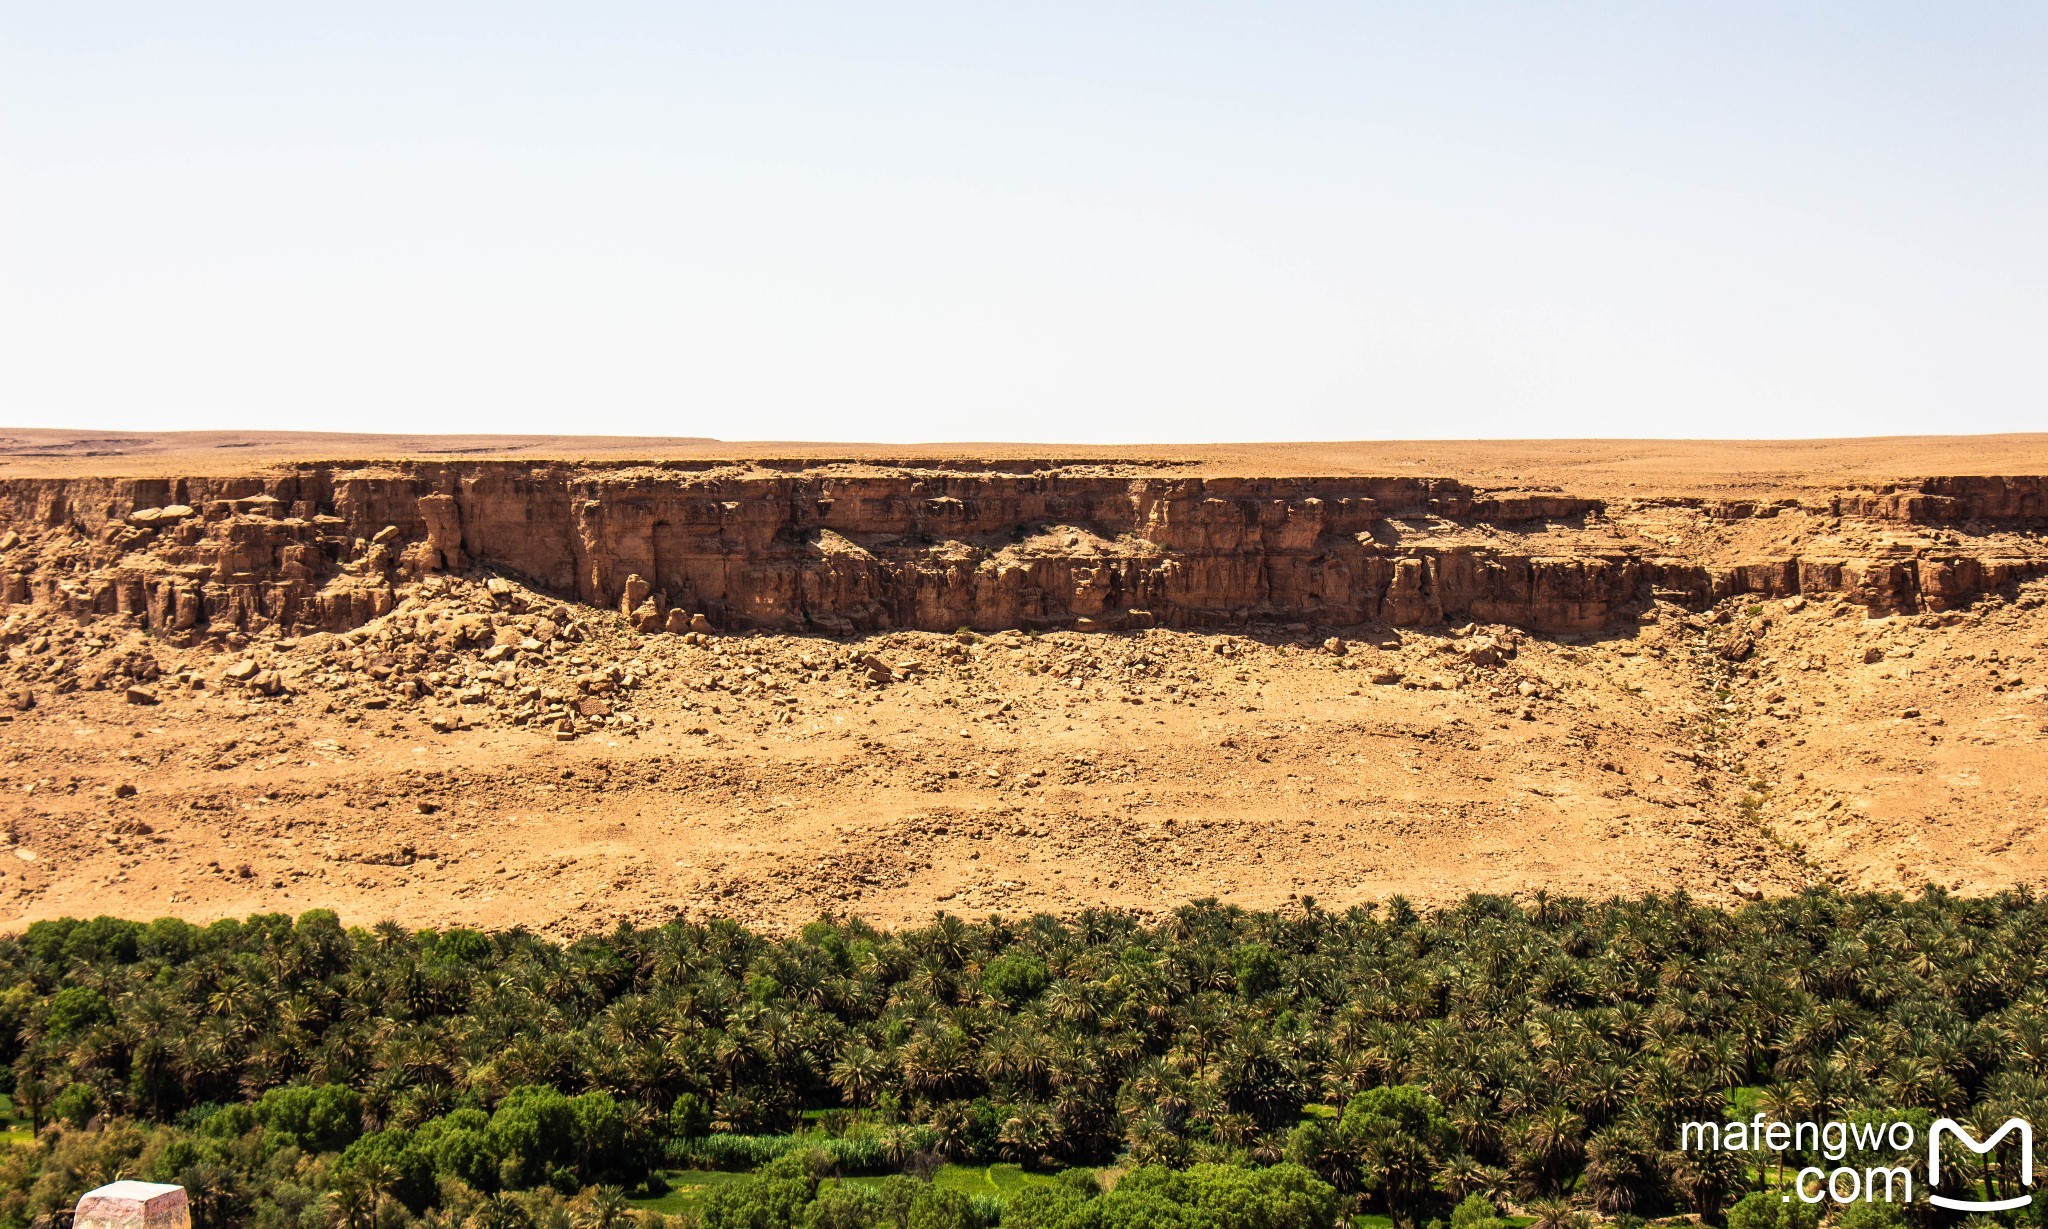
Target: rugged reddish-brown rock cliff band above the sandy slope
x=843 y=550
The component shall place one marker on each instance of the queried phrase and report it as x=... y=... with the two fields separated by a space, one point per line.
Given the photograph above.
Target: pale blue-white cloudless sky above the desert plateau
x=1035 y=222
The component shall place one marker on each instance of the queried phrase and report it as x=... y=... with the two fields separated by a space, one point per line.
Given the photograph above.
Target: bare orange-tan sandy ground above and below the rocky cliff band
x=771 y=779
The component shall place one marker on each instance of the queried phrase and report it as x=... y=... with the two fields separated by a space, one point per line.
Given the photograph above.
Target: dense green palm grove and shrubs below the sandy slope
x=1236 y=1068
